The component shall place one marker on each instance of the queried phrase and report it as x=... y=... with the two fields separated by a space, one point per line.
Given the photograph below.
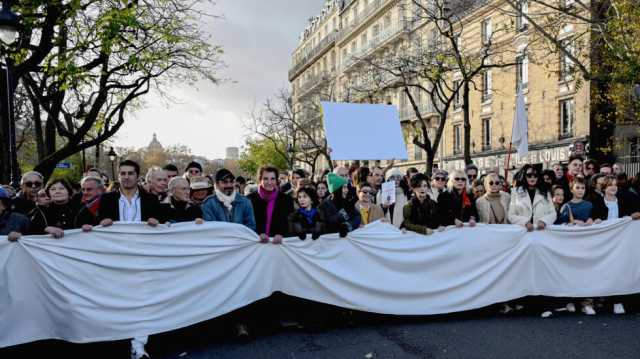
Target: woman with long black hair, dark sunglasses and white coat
x=531 y=203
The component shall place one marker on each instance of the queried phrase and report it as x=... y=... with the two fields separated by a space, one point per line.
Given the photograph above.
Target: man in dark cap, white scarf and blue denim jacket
x=226 y=205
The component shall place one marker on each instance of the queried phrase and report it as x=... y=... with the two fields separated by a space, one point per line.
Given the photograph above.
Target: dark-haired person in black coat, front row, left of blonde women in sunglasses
x=419 y=212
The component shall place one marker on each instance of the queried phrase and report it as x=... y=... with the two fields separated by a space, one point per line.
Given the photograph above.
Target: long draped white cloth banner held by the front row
x=131 y=280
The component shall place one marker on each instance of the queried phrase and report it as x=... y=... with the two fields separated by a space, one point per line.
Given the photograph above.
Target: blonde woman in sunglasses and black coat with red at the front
x=456 y=206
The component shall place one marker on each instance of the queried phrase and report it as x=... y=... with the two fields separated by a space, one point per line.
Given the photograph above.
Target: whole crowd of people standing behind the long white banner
x=290 y=204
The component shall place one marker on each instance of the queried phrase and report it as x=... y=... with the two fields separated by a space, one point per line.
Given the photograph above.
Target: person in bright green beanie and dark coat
x=339 y=208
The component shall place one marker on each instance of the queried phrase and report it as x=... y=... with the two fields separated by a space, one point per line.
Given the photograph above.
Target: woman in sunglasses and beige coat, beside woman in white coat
x=493 y=206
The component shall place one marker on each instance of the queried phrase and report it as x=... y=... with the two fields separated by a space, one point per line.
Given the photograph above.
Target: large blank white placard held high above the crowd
x=363 y=132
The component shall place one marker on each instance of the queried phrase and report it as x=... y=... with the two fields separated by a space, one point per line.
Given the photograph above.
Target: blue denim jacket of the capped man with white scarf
x=241 y=211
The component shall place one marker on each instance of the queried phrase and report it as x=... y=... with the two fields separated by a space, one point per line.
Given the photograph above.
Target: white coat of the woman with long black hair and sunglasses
x=521 y=210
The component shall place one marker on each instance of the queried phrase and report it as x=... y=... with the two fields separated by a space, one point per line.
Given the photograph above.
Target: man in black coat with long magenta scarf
x=271 y=207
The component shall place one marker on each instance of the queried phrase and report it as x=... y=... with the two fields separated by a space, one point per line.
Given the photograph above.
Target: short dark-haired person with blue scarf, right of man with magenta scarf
x=307 y=219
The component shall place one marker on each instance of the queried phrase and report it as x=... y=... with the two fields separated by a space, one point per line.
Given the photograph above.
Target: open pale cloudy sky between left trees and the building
x=258 y=37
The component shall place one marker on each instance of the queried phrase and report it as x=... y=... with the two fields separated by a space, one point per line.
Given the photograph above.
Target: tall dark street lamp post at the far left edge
x=9 y=26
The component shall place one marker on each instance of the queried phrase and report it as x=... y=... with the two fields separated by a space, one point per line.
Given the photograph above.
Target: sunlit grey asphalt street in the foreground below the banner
x=474 y=335
